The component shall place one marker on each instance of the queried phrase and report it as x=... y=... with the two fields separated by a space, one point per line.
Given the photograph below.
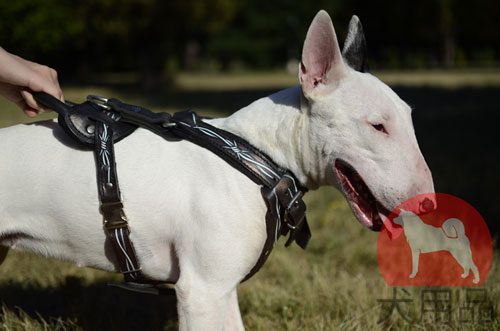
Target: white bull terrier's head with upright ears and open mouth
x=360 y=132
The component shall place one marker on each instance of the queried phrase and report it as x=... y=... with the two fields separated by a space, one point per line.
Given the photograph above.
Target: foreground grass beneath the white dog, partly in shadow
x=333 y=285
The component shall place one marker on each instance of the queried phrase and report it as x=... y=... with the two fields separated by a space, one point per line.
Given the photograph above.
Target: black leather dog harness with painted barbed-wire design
x=98 y=123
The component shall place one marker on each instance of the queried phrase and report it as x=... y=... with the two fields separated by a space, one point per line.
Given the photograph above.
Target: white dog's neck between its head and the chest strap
x=277 y=125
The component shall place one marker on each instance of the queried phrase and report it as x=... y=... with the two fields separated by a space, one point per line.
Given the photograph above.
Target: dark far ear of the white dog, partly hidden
x=354 y=51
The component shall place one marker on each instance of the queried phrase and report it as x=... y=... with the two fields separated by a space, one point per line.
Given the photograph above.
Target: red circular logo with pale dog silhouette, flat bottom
x=444 y=243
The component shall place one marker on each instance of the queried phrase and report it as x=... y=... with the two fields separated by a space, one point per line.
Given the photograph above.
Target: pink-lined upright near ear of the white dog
x=322 y=63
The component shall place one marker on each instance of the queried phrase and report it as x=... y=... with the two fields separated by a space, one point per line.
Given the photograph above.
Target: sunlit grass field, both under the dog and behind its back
x=333 y=285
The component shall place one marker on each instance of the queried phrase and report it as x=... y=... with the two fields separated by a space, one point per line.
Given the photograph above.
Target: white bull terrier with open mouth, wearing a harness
x=196 y=221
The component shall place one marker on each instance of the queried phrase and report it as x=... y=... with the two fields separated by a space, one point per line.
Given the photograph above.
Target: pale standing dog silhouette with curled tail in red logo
x=424 y=238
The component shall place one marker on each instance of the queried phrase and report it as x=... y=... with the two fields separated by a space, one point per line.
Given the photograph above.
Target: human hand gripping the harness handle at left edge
x=19 y=78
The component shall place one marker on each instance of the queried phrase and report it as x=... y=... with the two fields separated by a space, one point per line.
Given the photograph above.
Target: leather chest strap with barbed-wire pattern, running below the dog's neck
x=281 y=191
